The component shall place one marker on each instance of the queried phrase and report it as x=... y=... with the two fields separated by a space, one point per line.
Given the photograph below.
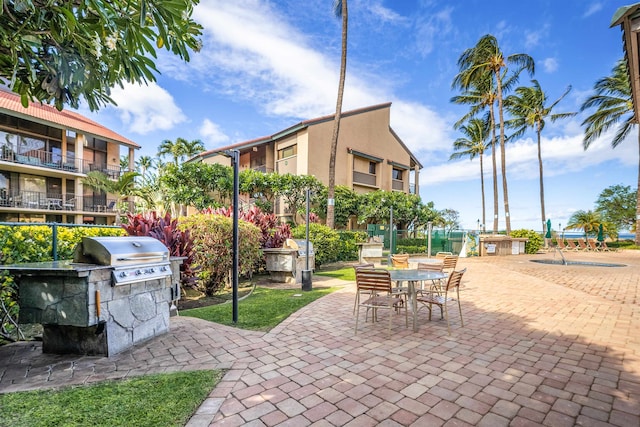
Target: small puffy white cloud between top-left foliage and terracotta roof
x=147 y=108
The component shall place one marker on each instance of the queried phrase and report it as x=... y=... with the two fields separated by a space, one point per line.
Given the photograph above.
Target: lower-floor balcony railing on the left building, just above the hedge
x=67 y=203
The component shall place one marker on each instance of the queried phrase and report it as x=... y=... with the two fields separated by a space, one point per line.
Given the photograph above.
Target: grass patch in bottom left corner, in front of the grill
x=153 y=400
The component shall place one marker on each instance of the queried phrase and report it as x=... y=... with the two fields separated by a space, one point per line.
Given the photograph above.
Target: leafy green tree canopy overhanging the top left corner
x=59 y=52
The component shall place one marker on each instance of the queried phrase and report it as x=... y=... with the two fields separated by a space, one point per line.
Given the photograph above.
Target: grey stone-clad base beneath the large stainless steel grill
x=65 y=304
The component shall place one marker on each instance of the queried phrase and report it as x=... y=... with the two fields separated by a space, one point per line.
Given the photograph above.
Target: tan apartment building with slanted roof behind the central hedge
x=370 y=156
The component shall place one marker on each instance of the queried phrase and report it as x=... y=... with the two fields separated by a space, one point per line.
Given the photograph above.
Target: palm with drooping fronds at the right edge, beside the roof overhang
x=614 y=104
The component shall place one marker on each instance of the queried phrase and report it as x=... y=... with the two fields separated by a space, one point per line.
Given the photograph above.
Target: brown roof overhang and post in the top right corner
x=628 y=17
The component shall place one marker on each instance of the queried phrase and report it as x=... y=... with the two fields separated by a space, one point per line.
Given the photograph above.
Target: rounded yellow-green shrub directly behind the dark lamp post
x=213 y=248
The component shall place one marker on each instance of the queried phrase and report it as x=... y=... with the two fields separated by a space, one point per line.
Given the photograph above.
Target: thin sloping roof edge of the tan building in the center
x=302 y=125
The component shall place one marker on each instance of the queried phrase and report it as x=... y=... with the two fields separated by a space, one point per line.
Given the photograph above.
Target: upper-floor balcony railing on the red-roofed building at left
x=50 y=160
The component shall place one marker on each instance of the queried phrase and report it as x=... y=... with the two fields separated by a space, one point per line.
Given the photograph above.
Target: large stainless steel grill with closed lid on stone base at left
x=133 y=258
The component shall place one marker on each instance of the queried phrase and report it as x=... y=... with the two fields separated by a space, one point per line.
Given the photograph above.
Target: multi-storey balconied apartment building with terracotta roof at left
x=45 y=153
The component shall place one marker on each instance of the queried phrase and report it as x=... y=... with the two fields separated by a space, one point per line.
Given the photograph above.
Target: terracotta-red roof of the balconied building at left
x=65 y=119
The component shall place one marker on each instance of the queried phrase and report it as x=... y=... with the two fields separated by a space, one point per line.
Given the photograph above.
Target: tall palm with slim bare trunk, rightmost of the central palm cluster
x=528 y=109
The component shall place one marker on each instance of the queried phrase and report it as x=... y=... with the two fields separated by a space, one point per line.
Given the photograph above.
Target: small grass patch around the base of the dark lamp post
x=262 y=310
